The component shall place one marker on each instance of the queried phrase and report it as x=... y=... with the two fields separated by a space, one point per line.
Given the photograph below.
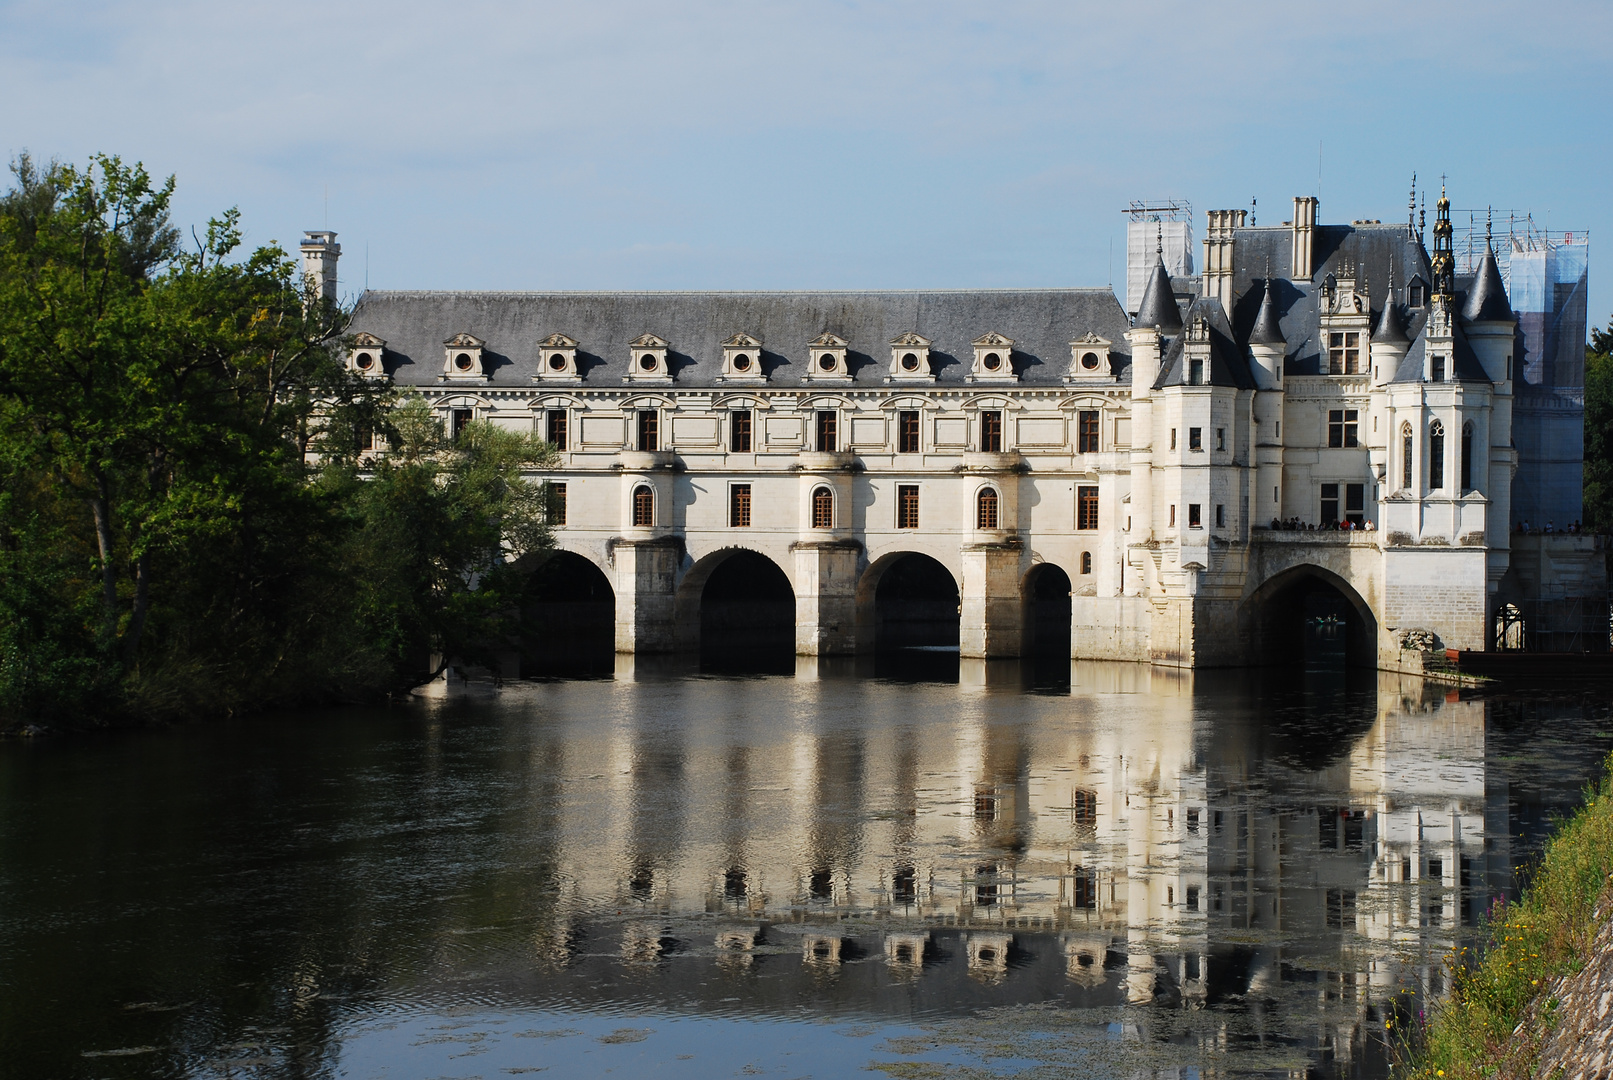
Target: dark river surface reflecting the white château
x=993 y=871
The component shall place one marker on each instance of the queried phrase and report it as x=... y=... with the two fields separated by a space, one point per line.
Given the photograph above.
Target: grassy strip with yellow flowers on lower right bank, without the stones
x=1530 y=945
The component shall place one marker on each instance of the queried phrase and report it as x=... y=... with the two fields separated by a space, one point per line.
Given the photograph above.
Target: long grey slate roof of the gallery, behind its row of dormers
x=1041 y=323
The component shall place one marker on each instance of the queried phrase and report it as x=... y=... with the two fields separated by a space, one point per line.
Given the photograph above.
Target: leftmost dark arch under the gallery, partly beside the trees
x=569 y=620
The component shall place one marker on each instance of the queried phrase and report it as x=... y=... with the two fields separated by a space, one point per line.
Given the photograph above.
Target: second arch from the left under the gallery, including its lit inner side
x=736 y=609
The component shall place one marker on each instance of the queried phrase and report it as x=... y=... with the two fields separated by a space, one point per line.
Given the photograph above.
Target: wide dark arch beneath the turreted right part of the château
x=1312 y=617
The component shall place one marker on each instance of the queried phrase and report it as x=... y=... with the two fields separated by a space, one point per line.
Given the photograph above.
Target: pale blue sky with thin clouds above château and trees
x=811 y=146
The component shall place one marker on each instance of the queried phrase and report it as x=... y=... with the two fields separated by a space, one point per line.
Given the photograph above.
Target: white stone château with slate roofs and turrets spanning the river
x=1001 y=470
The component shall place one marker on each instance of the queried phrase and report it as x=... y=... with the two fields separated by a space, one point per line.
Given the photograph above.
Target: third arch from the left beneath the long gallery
x=907 y=600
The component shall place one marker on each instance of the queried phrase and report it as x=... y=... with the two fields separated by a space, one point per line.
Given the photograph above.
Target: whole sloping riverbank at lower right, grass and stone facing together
x=1536 y=1002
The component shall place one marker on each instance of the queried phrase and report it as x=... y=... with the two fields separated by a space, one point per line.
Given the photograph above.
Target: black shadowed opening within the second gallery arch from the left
x=748 y=617
